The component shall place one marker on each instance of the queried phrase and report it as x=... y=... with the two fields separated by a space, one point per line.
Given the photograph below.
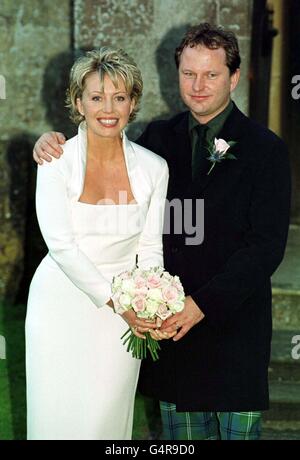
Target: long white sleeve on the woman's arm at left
x=54 y=217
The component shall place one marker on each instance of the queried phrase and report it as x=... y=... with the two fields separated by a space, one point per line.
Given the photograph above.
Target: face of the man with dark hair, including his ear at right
x=205 y=82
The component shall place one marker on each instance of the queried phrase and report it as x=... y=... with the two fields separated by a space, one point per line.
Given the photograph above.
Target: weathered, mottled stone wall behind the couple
x=37 y=42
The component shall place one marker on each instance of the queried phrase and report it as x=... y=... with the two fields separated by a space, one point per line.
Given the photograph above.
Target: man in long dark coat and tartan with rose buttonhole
x=212 y=377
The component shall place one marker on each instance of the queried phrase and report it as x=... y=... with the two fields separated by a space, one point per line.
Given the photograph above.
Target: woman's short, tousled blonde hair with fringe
x=106 y=61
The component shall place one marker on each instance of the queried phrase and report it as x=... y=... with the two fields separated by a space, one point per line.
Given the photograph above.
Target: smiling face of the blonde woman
x=106 y=112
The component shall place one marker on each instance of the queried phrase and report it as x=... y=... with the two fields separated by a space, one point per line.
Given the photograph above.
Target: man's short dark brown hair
x=212 y=37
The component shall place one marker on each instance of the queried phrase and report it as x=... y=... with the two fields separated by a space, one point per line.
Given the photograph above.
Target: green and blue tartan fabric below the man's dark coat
x=209 y=425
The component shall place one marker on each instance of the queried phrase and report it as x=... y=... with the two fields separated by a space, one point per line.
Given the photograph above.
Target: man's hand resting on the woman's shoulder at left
x=48 y=146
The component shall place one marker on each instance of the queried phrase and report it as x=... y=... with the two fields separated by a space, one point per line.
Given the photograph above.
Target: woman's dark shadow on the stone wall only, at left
x=55 y=83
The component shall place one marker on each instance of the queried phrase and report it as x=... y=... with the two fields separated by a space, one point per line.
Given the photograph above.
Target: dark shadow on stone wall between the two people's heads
x=168 y=79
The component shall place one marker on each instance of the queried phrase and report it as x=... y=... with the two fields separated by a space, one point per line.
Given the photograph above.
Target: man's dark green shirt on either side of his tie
x=215 y=126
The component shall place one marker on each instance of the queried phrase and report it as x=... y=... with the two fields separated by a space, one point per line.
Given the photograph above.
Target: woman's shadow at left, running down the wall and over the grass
x=31 y=247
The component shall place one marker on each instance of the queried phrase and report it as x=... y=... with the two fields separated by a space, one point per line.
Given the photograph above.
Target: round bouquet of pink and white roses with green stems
x=152 y=294
